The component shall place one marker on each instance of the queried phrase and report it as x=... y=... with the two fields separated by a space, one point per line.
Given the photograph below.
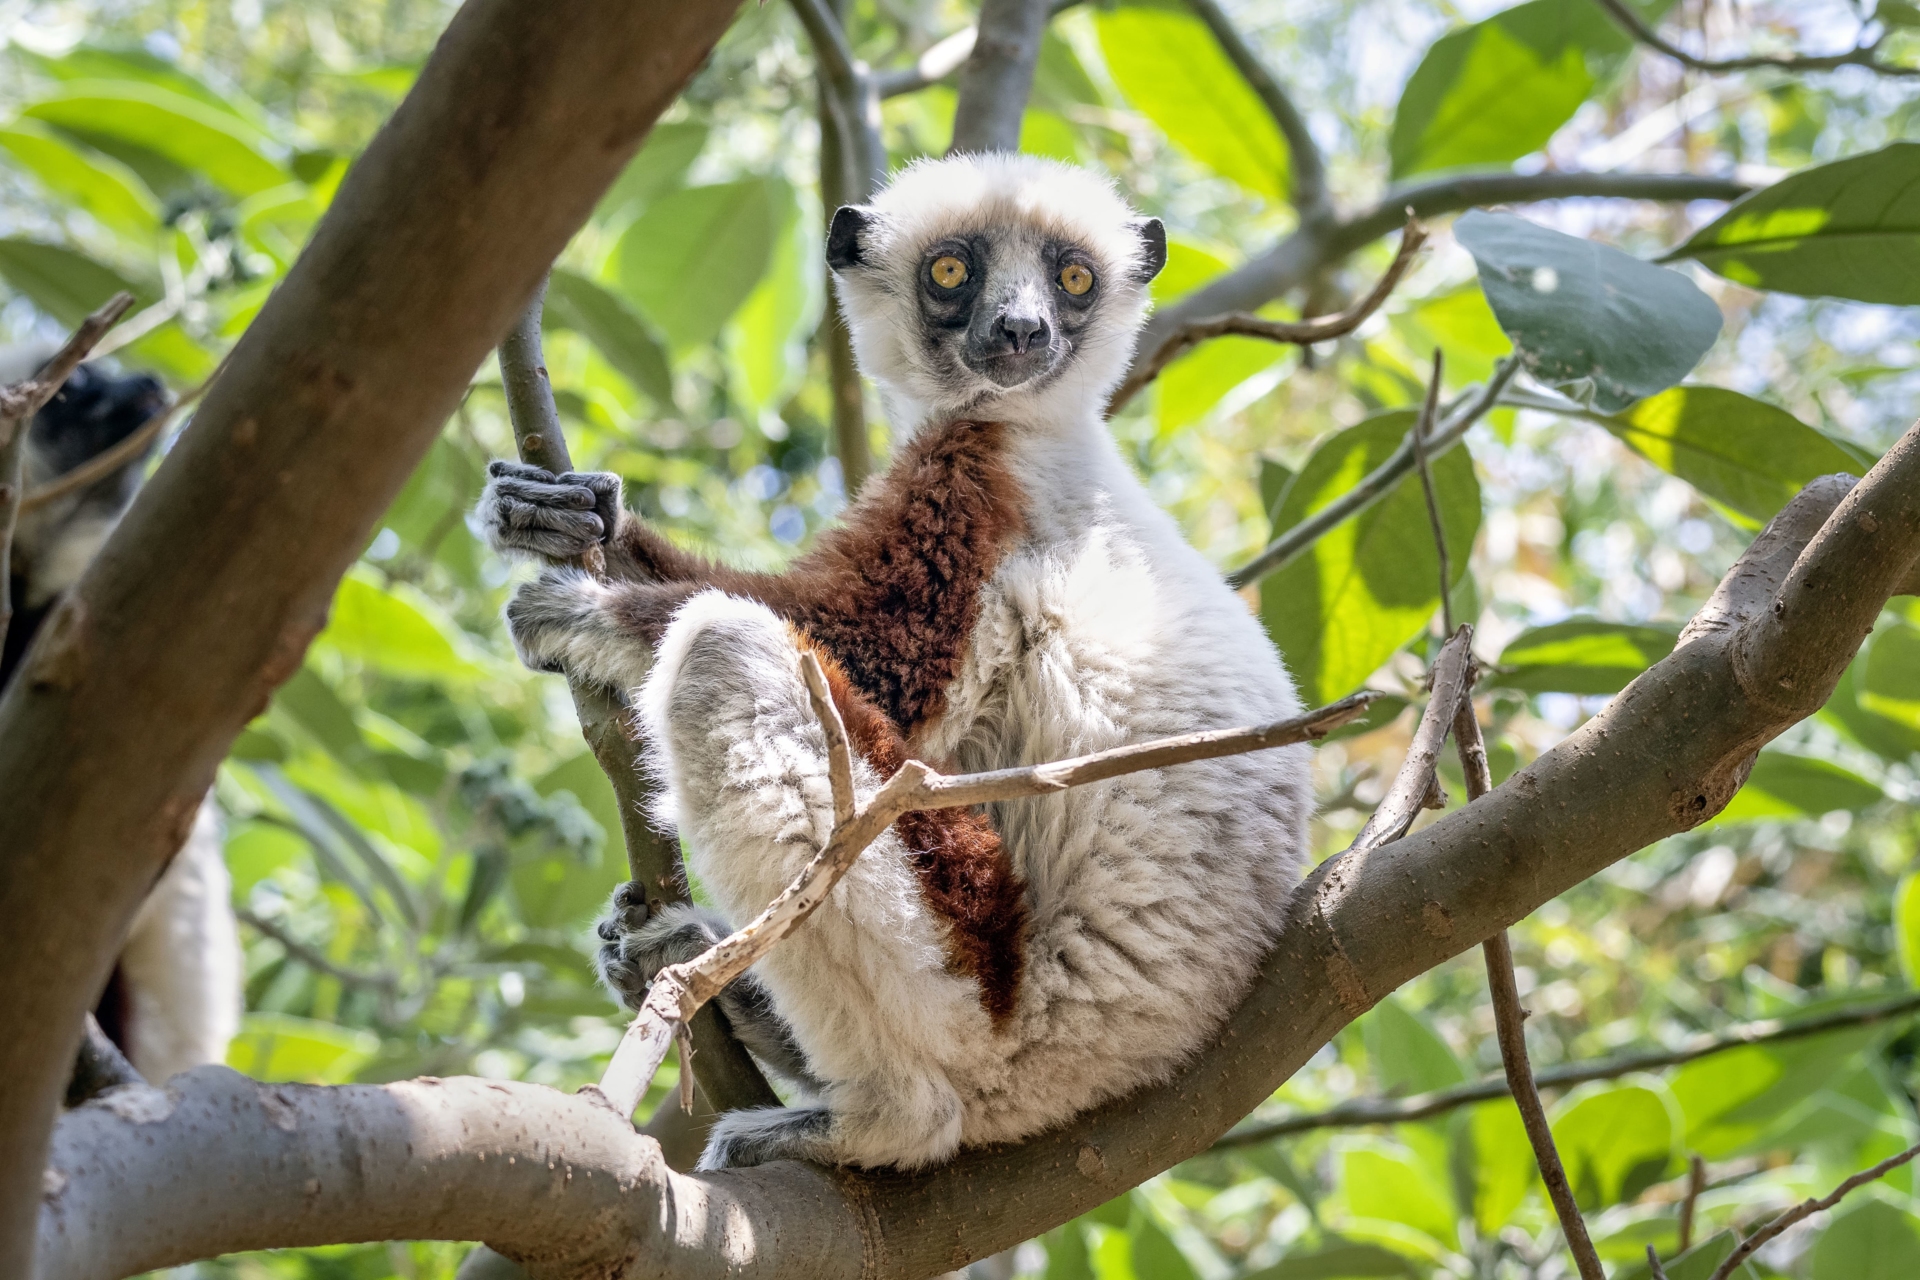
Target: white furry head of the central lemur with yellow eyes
x=994 y=285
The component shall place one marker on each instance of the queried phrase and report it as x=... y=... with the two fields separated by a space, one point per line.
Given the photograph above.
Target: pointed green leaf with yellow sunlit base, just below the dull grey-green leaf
x=1739 y=452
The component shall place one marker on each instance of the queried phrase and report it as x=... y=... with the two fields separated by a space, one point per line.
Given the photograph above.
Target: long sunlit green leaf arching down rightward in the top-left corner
x=181 y=130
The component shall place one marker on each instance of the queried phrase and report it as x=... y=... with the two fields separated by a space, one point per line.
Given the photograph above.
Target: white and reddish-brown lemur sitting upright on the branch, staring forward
x=1005 y=594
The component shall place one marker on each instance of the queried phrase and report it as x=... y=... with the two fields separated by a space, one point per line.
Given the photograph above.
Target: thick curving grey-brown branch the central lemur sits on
x=1664 y=757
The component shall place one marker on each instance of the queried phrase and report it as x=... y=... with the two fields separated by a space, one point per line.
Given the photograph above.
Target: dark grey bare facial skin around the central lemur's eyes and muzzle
x=1009 y=321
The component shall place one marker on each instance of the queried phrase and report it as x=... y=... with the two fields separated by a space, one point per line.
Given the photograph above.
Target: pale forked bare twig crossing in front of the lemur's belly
x=681 y=991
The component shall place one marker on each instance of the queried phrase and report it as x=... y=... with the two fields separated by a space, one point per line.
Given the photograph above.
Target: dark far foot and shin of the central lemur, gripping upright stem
x=638 y=943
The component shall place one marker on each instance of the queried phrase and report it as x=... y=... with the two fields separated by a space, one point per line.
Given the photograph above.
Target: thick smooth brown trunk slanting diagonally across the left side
x=222 y=573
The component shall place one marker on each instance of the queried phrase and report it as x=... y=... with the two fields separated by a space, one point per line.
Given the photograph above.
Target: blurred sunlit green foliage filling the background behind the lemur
x=420 y=840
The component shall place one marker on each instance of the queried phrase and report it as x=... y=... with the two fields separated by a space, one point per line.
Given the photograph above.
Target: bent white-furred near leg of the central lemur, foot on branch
x=863 y=984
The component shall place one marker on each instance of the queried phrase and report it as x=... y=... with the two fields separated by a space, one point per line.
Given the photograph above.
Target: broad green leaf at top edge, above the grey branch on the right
x=1499 y=89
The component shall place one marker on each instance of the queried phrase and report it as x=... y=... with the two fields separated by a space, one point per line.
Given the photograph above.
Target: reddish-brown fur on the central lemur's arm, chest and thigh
x=888 y=602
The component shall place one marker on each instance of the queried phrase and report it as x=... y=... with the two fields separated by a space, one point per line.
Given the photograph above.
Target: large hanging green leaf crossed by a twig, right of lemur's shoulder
x=1368 y=588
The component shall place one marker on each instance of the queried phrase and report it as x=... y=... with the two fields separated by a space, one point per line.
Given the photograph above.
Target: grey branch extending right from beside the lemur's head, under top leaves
x=1310 y=250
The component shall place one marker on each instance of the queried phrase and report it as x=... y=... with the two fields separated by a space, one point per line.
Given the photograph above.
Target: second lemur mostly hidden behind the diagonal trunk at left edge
x=174 y=999
